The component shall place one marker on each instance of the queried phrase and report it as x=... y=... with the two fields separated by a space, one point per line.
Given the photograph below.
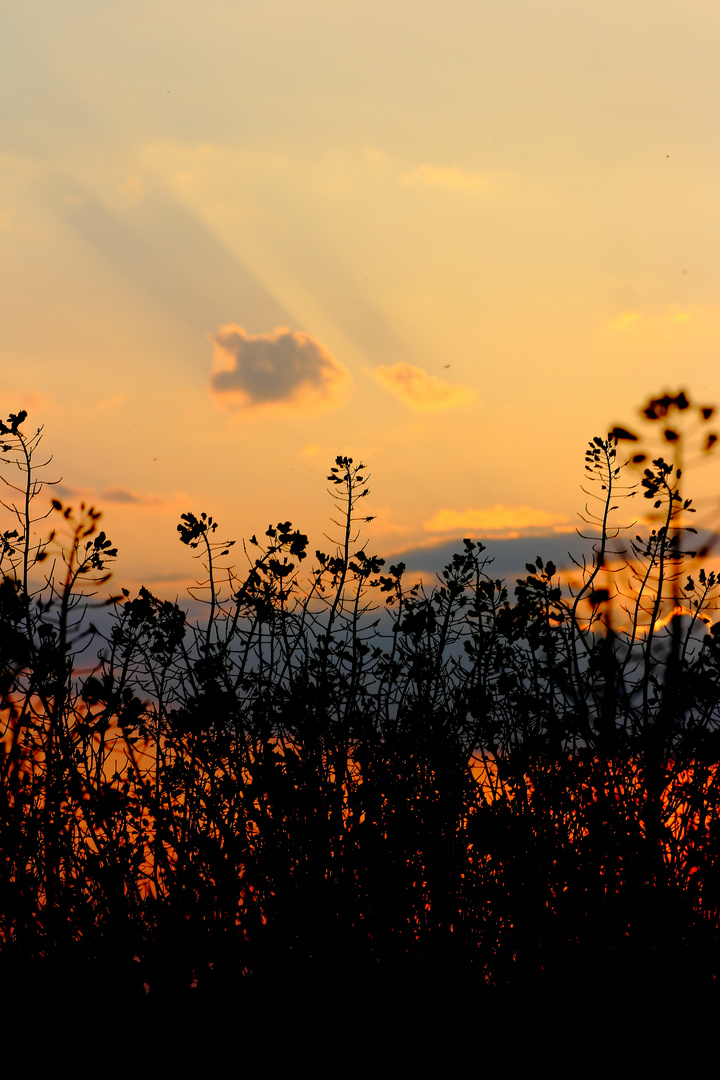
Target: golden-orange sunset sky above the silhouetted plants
x=455 y=241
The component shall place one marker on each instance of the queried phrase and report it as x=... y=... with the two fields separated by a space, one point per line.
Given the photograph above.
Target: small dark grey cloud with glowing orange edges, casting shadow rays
x=284 y=368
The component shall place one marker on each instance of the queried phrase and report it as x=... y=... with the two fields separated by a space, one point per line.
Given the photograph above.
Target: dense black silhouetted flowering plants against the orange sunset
x=341 y=779
